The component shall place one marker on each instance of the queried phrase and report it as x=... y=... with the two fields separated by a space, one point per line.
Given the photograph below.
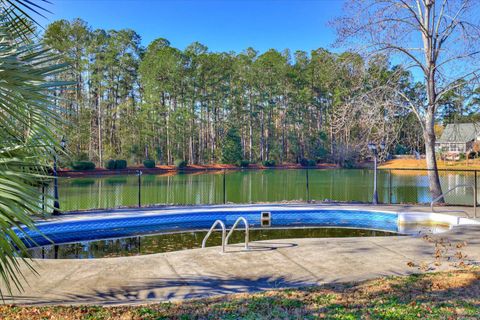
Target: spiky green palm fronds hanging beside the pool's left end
x=27 y=135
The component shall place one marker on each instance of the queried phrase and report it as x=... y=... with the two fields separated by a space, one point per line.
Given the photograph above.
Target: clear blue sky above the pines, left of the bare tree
x=221 y=25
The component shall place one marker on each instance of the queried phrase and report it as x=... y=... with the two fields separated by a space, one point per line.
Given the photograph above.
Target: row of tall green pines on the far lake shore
x=167 y=104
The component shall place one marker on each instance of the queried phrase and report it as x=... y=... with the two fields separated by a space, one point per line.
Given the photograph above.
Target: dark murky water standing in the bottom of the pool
x=168 y=242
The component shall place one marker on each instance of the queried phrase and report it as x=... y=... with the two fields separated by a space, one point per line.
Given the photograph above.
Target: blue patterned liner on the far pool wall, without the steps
x=103 y=228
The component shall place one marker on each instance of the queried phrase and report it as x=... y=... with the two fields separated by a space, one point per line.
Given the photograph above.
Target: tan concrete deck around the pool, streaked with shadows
x=268 y=265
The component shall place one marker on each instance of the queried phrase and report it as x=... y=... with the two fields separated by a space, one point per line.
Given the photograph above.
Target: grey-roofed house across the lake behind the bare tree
x=458 y=138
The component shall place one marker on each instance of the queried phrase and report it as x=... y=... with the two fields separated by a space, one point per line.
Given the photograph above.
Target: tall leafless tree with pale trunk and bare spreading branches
x=437 y=39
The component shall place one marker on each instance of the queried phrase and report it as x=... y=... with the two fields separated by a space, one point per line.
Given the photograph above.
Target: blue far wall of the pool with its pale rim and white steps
x=136 y=222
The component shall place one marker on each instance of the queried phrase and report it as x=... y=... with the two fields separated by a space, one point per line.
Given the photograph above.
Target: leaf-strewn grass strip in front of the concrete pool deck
x=443 y=295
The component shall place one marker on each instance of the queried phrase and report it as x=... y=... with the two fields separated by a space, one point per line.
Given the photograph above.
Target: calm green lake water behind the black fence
x=251 y=186
